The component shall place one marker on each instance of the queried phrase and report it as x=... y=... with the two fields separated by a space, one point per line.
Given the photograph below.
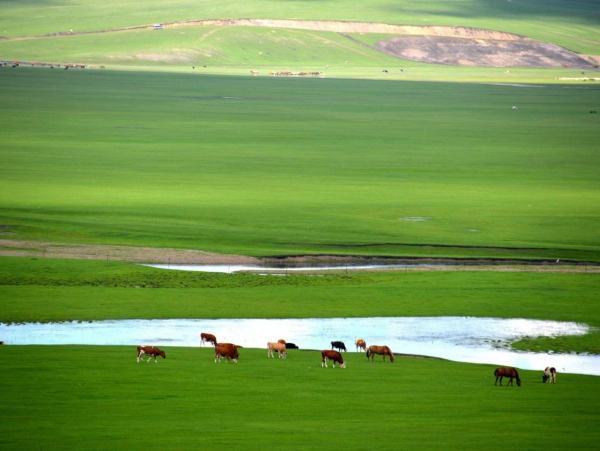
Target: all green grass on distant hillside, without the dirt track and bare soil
x=236 y=50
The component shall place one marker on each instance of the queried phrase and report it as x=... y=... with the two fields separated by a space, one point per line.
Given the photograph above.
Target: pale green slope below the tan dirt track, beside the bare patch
x=239 y=50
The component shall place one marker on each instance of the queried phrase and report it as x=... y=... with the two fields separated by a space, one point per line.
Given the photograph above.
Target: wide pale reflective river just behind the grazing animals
x=464 y=339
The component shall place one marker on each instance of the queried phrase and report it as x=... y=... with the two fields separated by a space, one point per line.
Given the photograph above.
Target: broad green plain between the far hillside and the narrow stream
x=271 y=167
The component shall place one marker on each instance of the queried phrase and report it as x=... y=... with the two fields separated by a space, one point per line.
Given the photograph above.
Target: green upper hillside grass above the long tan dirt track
x=573 y=25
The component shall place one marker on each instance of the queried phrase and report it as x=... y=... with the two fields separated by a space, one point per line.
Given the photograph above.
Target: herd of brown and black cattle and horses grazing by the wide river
x=229 y=351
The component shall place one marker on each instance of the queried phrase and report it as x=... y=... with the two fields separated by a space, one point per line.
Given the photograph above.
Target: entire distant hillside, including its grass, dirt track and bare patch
x=557 y=35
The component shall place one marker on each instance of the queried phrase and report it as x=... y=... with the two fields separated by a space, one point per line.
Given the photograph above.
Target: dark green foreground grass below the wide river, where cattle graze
x=98 y=397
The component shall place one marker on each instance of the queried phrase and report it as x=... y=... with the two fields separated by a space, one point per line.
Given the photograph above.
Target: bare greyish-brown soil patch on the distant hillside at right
x=482 y=52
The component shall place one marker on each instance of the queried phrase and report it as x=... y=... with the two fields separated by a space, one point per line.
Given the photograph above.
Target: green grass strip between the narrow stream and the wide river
x=55 y=290
